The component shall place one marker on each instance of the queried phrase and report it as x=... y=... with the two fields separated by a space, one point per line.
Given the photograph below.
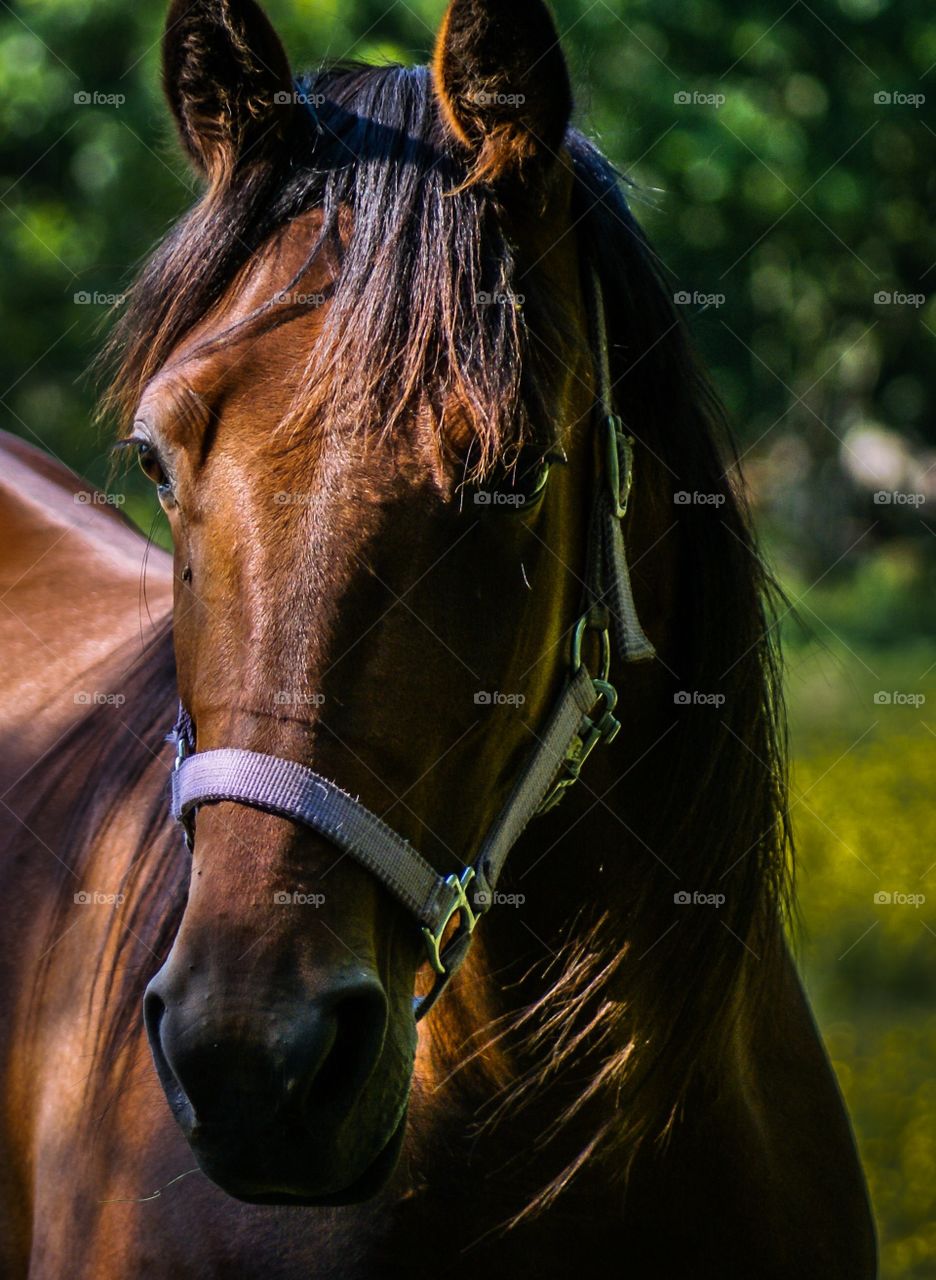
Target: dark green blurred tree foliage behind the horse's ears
x=782 y=185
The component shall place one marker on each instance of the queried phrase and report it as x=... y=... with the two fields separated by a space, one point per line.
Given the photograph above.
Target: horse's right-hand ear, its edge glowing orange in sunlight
x=503 y=83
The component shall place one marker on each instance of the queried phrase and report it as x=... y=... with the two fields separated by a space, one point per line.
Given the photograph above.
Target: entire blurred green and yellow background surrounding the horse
x=786 y=171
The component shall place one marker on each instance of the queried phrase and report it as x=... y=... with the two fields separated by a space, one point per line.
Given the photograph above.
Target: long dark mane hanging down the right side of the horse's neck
x=711 y=796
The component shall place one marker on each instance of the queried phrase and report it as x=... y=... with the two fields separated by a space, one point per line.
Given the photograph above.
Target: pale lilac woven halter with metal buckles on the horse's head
x=582 y=719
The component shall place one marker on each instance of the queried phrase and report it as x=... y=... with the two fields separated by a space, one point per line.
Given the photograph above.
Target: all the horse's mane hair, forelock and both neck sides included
x=407 y=319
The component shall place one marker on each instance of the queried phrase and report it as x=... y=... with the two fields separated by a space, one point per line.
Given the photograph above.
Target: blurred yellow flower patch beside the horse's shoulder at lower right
x=866 y=828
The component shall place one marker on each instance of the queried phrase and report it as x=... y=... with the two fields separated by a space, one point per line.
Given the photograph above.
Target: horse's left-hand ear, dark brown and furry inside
x=229 y=83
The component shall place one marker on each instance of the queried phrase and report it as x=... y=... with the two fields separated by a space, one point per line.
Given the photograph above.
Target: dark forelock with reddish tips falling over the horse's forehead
x=426 y=309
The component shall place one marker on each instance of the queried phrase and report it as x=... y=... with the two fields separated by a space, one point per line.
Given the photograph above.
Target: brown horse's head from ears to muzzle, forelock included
x=364 y=392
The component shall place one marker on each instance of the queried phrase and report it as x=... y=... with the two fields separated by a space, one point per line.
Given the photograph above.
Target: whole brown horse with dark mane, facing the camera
x=363 y=374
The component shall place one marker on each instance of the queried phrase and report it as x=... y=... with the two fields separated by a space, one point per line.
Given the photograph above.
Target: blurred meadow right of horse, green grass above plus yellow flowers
x=862 y=696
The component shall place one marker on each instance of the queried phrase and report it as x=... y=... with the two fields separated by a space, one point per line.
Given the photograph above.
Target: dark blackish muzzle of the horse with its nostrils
x=282 y=1107
